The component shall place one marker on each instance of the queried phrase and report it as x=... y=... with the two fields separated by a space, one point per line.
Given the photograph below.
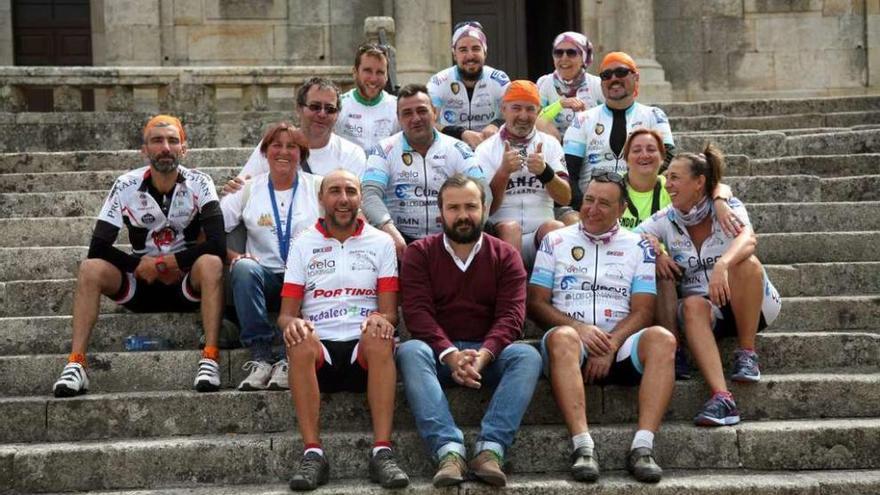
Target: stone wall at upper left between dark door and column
x=230 y=32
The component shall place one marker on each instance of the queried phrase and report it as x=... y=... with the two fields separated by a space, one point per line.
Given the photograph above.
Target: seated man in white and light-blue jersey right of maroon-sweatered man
x=593 y=287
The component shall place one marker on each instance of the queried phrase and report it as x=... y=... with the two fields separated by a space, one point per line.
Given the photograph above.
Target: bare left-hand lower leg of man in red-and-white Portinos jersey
x=304 y=386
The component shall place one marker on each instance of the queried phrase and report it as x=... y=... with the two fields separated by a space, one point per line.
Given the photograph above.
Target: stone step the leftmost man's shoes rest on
x=181 y=413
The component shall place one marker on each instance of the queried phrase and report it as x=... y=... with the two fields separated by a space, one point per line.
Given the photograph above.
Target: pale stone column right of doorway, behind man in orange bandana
x=635 y=35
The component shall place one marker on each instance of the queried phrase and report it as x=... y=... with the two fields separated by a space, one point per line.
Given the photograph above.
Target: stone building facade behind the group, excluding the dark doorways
x=687 y=49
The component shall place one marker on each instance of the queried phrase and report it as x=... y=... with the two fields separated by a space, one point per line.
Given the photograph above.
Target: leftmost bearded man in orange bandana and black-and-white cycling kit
x=165 y=208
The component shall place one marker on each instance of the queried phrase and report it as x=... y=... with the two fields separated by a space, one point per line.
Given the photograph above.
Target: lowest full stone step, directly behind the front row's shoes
x=267 y=458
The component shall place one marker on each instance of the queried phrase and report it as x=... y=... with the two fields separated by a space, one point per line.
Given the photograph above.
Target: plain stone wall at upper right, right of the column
x=730 y=48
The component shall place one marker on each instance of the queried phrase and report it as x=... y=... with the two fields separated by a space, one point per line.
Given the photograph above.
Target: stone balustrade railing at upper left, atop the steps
x=166 y=89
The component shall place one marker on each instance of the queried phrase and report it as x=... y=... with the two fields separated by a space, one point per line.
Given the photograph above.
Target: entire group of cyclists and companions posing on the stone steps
x=563 y=201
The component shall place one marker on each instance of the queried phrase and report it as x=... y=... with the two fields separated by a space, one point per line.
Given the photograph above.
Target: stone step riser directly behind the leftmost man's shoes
x=34 y=374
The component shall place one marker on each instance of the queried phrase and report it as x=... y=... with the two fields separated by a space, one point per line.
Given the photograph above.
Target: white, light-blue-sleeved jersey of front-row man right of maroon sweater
x=593 y=282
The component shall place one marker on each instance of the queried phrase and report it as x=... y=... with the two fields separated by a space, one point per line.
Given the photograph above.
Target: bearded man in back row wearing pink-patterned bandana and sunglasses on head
x=468 y=94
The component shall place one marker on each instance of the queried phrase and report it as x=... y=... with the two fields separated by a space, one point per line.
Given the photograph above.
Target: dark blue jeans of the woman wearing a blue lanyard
x=255 y=292
